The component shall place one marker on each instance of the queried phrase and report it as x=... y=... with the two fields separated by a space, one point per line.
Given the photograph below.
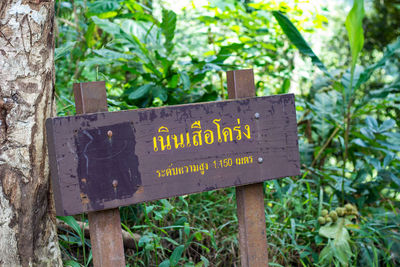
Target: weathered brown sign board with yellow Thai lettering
x=109 y=159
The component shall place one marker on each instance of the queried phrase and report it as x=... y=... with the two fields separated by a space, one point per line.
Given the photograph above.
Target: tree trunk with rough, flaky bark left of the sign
x=28 y=234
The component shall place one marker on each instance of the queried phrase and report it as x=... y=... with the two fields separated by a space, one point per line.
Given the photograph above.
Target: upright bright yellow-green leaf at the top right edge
x=355 y=31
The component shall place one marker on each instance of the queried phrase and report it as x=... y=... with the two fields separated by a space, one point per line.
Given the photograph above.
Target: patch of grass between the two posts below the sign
x=168 y=236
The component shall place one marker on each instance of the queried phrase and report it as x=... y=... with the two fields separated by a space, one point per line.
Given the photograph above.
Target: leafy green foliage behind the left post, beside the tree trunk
x=123 y=43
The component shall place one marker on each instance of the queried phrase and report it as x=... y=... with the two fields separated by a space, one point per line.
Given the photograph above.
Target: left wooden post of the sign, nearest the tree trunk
x=105 y=226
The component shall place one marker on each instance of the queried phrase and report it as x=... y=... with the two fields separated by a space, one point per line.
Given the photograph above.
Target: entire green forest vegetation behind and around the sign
x=341 y=60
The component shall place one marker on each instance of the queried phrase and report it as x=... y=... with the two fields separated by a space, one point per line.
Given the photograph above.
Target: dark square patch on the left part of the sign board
x=107 y=164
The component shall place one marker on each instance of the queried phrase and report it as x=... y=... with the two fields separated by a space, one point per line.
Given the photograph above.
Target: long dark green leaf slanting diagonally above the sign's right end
x=297 y=40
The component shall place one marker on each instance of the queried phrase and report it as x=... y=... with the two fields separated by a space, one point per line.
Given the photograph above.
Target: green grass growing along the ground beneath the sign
x=202 y=229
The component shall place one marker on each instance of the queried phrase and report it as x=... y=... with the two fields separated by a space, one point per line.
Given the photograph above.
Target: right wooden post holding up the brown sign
x=249 y=198
